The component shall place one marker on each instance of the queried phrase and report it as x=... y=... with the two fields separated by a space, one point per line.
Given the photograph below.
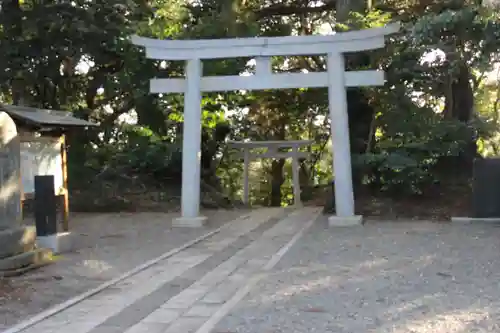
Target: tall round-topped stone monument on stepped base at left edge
x=18 y=253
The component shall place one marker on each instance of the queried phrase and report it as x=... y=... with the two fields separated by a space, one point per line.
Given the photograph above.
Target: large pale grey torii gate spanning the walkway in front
x=263 y=48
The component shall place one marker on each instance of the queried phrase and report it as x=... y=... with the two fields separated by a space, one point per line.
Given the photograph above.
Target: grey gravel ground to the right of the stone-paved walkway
x=383 y=277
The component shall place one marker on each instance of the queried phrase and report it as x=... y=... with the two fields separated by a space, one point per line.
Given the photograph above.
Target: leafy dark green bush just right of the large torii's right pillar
x=403 y=162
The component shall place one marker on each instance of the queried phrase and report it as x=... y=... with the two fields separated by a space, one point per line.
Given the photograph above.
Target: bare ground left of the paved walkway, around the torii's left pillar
x=106 y=246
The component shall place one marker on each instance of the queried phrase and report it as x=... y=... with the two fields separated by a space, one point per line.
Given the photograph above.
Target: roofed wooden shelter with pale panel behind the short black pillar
x=43 y=149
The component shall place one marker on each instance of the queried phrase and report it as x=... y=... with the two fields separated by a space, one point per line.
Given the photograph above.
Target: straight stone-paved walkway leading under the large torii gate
x=192 y=290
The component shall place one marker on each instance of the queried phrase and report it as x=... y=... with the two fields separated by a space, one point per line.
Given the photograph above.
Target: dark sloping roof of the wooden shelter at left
x=44 y=117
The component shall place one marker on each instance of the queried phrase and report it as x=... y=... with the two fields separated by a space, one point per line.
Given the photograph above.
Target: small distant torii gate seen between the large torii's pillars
x=273 y=148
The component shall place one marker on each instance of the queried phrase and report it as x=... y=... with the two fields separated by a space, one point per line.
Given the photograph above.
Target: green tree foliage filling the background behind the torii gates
x=399 y=133
